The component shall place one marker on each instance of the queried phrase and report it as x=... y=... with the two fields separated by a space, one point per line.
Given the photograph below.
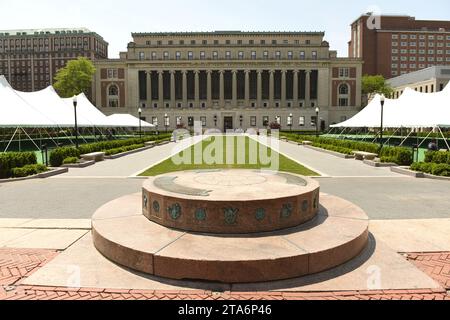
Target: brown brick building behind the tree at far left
x=29 y=59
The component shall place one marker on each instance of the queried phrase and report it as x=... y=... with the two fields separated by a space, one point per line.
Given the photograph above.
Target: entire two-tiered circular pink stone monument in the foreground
x=232 y=226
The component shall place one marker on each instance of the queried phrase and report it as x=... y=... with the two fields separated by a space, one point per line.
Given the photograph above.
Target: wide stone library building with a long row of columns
x=230 y=80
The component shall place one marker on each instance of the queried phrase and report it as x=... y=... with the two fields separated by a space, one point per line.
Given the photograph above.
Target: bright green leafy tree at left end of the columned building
x=74 y=78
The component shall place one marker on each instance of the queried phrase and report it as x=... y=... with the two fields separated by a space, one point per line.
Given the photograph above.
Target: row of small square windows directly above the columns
x=228 y=55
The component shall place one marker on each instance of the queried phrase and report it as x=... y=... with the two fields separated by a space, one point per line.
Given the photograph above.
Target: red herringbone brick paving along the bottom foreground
x=16 y=264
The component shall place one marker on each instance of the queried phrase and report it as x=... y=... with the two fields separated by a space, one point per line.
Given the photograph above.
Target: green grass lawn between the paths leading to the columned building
x=243 y=159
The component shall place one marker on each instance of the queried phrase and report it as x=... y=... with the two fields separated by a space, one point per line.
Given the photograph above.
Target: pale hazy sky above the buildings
x=115 y=20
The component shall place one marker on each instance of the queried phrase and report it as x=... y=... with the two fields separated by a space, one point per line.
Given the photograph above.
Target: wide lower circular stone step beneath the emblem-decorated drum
x=337 y=234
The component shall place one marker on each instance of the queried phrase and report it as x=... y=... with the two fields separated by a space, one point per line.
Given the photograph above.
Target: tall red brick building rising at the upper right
x=397 y=45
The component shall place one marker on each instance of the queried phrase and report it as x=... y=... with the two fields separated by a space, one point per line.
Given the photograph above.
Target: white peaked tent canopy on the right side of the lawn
x=412 y=109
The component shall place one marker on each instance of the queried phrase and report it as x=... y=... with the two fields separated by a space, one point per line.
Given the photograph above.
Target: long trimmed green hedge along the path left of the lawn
x=58 y=155
